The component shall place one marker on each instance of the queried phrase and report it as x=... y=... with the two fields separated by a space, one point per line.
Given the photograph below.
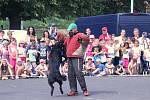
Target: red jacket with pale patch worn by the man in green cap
x=73 y=47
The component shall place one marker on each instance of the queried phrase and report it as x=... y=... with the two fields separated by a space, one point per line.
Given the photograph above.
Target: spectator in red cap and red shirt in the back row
x=105 y=36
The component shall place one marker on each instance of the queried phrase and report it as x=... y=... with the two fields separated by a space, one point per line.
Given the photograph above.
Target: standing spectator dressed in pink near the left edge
x=12 y=48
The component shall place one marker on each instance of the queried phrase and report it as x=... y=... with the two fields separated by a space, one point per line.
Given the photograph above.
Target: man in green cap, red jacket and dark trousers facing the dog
x=74 y=52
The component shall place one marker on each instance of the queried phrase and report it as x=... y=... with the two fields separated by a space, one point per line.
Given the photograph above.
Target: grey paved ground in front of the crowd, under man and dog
x=101 y=88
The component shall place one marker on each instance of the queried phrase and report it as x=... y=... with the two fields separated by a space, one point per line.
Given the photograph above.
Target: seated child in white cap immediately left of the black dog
x=42 y=68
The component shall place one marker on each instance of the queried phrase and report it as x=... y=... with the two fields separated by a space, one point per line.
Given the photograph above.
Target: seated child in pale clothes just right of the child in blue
x=109 y=67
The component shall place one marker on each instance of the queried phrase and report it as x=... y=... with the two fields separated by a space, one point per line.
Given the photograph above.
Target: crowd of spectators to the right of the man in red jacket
x=117 y=55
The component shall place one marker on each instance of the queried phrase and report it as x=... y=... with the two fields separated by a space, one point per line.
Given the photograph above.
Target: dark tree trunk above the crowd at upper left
x=14 y=23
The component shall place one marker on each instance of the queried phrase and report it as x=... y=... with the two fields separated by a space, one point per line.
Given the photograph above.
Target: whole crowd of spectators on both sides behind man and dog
x=106 y=55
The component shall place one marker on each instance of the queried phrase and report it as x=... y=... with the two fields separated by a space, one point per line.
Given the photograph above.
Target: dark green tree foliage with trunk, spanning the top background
x=17 y=10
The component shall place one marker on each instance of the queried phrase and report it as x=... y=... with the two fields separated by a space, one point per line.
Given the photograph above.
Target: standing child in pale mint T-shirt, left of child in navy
x=32 y=54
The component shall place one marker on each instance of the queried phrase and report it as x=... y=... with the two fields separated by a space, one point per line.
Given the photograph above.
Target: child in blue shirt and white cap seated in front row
x=99 y=68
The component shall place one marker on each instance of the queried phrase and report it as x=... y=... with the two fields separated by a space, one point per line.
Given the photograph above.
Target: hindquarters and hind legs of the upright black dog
x=55 y=76
